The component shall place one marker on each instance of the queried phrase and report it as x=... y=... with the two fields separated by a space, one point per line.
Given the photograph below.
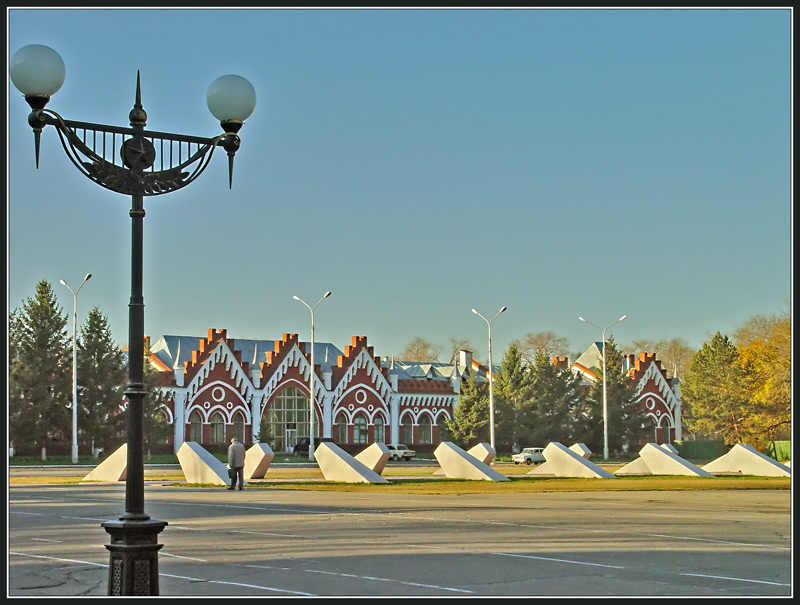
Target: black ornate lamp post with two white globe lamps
x=139 y=163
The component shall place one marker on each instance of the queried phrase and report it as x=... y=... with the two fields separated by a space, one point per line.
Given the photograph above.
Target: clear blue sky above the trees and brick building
x=419 y=163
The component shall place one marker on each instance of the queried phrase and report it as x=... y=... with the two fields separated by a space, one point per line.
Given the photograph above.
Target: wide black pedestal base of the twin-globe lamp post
x=133 y=568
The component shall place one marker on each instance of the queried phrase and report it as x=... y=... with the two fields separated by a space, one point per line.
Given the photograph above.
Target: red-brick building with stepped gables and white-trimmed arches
x=217 y=387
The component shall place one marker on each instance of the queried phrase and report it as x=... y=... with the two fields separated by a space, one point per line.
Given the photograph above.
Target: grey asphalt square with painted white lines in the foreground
x=272 y=542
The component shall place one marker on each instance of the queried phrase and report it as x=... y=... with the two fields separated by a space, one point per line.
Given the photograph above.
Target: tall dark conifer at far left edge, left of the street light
x=40 y=373
